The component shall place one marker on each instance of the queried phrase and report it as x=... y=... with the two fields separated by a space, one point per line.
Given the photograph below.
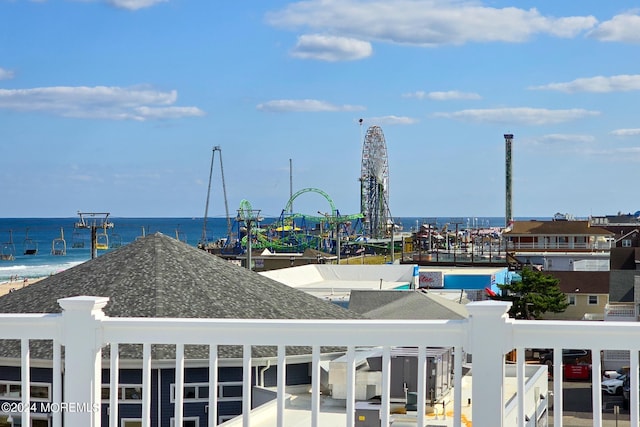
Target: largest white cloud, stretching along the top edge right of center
x=424 y=22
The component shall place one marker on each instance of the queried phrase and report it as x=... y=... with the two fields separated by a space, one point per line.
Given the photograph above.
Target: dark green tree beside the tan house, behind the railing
x=536 y=294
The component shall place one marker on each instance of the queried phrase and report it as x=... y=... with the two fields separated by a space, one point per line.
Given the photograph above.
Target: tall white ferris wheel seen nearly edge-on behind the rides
x=374 y=183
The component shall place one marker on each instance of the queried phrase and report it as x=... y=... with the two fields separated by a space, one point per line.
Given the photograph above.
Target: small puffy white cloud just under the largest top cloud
x=331 y=48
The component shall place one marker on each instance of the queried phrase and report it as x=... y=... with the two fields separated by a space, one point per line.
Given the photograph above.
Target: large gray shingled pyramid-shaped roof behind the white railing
x=158 y=276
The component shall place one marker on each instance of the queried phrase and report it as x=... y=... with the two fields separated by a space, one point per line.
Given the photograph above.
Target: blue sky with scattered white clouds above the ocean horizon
x=115 y=105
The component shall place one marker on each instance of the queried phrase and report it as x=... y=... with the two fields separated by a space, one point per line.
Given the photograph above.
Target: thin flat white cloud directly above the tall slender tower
x=521 y=115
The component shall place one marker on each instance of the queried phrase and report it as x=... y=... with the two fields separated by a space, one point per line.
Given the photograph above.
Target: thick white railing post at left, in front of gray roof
x=82 y=338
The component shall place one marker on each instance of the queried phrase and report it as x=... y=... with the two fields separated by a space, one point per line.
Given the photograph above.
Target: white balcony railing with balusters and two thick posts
x=488 y=334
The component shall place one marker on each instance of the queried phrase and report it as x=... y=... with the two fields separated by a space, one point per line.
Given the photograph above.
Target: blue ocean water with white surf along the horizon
x=17 y=235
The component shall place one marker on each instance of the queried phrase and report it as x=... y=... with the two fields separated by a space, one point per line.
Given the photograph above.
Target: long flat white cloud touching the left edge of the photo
x=101 y=102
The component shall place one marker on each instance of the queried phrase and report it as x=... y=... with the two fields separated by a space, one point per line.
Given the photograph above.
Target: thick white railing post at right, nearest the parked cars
x=490 y=338
